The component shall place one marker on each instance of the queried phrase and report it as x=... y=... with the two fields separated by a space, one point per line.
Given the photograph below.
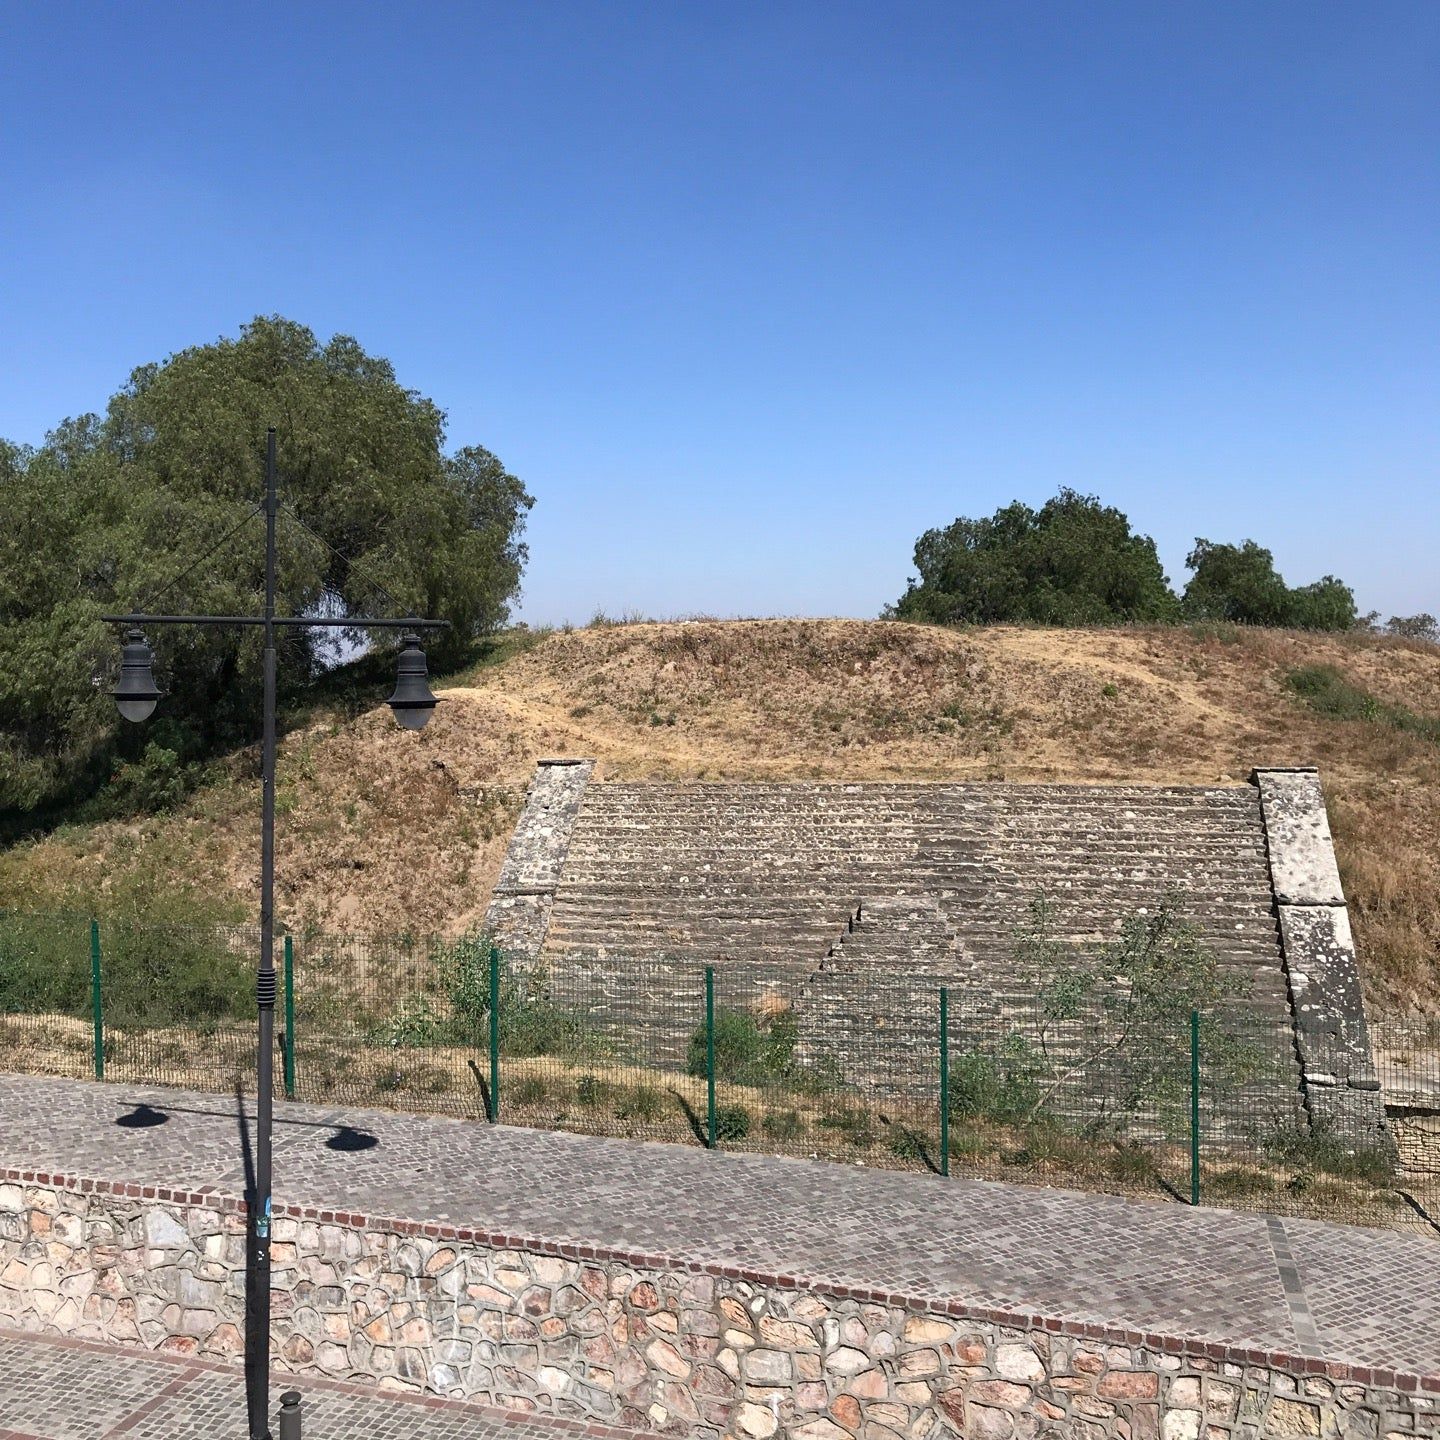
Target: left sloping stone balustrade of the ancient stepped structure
x=519 y=914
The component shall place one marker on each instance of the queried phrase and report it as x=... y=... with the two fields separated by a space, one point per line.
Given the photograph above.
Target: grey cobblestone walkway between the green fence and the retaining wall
x=1340 y=1292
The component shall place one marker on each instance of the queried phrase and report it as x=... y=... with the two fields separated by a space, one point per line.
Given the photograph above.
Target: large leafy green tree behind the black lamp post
x=113 y=509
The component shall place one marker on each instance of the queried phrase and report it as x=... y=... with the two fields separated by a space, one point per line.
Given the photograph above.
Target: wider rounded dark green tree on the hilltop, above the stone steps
x=1072 y=562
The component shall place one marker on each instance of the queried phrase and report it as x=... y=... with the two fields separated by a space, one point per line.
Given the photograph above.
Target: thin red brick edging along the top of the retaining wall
x=1115 y=1334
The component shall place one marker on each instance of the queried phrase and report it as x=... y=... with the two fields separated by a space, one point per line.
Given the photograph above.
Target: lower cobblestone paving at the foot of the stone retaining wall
x=74 y=1390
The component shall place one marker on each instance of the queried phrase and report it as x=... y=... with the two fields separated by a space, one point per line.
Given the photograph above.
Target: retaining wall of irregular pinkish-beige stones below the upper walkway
x=644 y=1343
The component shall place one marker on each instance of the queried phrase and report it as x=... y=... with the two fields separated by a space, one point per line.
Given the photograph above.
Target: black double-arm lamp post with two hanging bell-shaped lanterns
x=136 y=698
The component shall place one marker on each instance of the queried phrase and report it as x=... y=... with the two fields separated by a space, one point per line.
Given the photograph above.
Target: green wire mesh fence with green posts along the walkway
x=899 y=1072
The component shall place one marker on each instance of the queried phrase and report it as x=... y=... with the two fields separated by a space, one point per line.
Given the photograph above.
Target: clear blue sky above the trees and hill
x=750 y=294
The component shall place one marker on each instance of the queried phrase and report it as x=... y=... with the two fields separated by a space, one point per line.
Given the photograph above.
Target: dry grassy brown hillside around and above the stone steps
x=382 y=830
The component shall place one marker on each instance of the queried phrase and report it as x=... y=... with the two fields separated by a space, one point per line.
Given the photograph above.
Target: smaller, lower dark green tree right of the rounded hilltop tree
x=1241 y=584
